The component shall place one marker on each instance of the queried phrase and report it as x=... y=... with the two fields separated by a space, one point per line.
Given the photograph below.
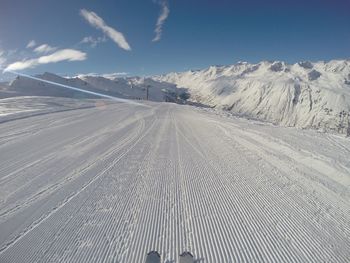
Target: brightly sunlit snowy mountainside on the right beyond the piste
x=305 y=94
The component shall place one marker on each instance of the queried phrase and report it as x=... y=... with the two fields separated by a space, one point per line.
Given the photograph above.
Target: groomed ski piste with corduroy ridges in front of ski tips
x=111 y=183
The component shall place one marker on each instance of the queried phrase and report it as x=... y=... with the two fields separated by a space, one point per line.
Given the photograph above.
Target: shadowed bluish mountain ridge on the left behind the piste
x=130 y=88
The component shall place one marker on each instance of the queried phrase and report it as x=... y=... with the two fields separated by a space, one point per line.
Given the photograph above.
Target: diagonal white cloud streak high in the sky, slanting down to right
x=94 y=20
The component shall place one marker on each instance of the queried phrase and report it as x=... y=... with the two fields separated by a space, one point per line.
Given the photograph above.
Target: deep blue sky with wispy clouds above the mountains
x=192 y=34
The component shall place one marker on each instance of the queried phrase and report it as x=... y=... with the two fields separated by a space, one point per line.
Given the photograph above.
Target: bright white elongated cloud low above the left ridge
x=60 y=55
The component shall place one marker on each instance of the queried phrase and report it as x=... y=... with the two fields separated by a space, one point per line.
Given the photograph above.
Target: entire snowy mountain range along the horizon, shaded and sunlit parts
x=305 y=94
